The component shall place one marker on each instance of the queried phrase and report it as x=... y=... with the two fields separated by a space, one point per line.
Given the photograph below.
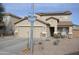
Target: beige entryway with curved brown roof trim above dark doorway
x=53 y=25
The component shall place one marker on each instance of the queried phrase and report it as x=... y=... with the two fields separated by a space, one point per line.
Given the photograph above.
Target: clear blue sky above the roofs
x=23 y=9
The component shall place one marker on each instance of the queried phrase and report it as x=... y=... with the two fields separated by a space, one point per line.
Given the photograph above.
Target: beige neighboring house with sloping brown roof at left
x=9 y=22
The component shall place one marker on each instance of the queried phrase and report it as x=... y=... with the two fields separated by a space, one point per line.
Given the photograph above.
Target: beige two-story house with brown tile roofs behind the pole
x=46 y=25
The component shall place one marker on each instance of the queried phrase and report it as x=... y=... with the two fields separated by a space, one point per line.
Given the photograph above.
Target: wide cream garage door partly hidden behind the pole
x=25 y=31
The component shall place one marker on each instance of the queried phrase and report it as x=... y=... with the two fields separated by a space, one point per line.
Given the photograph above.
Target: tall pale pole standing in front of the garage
x=31 y=20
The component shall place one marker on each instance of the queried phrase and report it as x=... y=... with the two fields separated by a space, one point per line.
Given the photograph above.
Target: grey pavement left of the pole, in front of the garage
x=12 y=46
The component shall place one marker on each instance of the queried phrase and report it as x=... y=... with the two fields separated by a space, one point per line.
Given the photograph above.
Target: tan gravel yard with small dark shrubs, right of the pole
x=63 y=46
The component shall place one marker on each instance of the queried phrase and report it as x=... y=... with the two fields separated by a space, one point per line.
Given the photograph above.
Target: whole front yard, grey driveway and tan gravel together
x=14 y=45
